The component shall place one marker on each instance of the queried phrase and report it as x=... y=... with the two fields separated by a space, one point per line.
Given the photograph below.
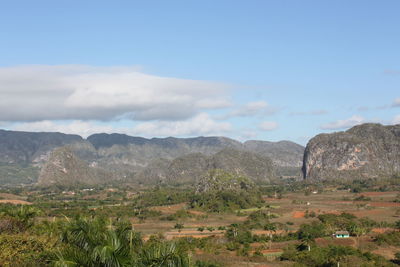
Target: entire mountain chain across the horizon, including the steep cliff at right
x=364 y=151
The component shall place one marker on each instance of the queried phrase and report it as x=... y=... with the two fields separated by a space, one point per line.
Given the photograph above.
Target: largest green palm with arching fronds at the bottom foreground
x=94 y=243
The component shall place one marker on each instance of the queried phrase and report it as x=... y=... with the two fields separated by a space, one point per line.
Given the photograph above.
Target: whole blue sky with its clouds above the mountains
x=267 y=70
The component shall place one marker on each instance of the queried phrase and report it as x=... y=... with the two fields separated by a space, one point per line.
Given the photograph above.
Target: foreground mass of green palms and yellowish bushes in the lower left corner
x=80 y=241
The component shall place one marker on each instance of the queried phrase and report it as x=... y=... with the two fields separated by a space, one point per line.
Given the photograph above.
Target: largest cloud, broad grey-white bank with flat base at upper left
x=75 y=92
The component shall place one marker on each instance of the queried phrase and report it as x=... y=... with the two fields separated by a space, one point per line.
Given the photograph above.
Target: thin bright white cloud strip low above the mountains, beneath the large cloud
x=200 y=124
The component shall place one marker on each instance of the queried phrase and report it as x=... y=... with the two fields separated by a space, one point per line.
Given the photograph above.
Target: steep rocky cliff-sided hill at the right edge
x=364 y=151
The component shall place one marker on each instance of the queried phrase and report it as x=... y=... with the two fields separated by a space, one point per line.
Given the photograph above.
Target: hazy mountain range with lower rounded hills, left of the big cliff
x=56 y=158
